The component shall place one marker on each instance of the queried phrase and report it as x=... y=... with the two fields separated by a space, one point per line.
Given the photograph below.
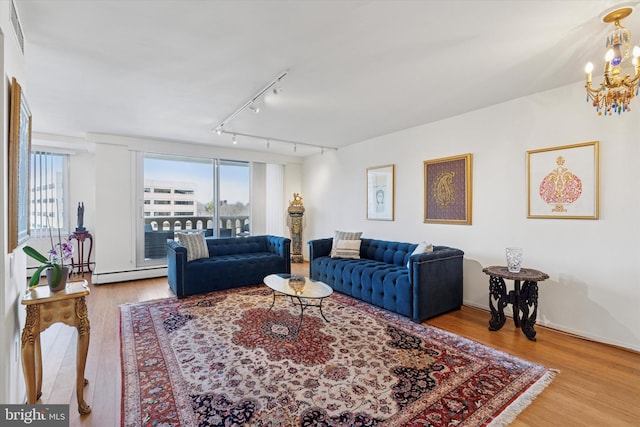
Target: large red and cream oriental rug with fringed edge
x=224 y=359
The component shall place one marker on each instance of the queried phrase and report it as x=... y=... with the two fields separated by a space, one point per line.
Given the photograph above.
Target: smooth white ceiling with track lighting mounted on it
x=174 y=69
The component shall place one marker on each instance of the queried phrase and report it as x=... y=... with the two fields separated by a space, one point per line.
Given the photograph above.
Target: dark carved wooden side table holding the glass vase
x=524 y=300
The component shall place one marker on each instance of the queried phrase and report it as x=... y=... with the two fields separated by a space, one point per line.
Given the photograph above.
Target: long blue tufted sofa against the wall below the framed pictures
x=431 y=285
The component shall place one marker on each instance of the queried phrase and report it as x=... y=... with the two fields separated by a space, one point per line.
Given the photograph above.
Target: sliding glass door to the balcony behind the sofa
x=181 y=194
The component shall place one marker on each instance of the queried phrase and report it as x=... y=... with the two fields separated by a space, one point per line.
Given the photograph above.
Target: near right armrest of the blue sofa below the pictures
x=437 y=280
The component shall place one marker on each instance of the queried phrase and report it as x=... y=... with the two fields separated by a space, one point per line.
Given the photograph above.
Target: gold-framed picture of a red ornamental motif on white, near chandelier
x=563 y=182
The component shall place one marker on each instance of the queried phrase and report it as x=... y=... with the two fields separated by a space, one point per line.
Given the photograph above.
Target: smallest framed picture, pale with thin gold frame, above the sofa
x=380 y=193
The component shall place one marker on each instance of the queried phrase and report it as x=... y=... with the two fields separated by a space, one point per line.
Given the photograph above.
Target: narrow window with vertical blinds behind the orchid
x=48 y=192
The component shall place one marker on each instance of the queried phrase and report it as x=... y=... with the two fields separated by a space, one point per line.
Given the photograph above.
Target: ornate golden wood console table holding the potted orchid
x=44 y=308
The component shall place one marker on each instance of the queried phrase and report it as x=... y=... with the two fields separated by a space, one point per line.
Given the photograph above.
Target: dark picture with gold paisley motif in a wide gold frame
x=447 y=190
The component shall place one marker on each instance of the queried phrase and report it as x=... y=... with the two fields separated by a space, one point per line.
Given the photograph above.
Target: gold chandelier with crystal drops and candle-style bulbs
x=617 y=90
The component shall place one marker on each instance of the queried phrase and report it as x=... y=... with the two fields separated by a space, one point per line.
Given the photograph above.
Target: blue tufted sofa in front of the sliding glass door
x=232 y=262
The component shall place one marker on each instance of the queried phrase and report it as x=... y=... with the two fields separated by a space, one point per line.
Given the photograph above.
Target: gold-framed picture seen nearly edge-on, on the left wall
x=19 y=156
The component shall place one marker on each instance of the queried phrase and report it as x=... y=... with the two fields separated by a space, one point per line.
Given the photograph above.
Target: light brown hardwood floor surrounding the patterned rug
x=598 y=385
